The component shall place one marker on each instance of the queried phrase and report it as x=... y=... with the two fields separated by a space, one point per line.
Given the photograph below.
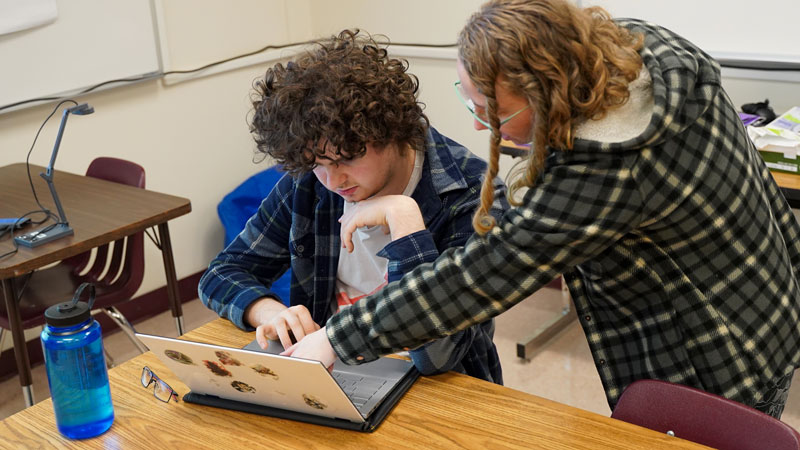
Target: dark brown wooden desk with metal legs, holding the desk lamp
x=100 y=212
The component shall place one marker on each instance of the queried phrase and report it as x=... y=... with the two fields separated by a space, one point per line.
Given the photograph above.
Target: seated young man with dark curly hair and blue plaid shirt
x=344 y=121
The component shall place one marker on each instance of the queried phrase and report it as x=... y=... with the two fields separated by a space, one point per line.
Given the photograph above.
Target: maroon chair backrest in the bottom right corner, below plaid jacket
x=702 y=417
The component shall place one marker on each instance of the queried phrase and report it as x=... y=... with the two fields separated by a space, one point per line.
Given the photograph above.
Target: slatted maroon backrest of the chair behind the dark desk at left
x=118 y=275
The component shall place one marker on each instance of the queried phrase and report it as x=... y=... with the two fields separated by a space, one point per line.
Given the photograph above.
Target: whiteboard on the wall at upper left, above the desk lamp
x=90 y=42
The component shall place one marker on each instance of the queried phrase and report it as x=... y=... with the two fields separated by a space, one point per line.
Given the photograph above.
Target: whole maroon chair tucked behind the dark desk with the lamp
x=116 y=269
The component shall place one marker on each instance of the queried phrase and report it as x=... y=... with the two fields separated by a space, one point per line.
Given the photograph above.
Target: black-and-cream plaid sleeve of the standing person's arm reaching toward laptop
x=464 y=286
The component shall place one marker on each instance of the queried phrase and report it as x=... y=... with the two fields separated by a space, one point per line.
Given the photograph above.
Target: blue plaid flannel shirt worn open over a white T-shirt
x=297 y=225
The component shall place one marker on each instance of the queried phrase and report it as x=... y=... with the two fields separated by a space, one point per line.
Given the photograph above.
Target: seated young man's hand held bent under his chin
x=398 y=214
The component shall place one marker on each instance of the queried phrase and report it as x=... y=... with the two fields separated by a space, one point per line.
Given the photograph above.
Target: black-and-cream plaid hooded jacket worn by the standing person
x=679 y=250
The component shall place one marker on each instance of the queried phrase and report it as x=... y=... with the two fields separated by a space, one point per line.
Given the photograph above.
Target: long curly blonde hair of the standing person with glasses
x=571 y=64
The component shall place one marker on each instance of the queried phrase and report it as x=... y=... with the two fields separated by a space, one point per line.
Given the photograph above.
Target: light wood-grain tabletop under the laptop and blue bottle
x=443 y=411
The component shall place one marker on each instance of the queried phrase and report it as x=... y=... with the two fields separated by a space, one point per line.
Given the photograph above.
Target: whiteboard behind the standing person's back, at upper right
x=727 y=29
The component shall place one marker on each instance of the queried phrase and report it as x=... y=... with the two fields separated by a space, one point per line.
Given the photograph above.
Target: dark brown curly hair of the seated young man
x=340 y=95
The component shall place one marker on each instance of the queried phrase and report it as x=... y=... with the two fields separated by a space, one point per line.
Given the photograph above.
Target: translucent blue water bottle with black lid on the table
x=76 y=368
